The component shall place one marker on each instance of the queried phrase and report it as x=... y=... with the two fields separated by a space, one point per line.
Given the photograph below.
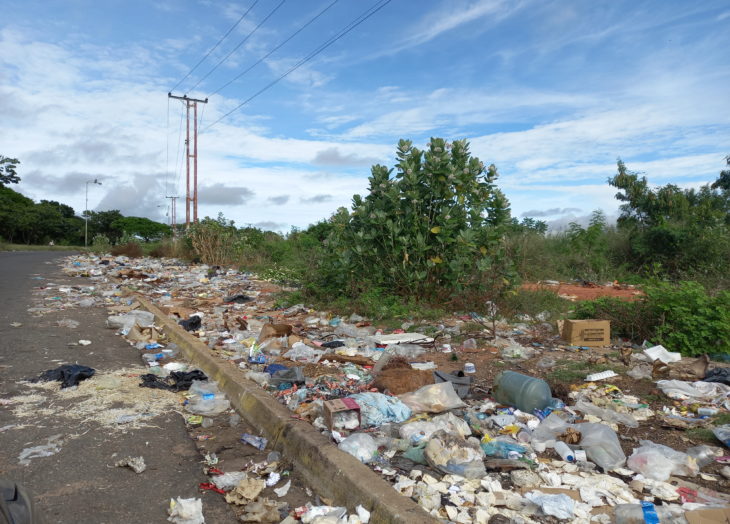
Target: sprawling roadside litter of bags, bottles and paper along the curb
x=464 y=454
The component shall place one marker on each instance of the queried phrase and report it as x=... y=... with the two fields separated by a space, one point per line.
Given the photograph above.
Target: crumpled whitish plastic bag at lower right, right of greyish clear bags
x=659 y=462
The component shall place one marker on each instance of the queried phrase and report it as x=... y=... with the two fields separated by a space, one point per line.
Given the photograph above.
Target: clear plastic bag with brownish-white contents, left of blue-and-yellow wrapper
x=451 y=454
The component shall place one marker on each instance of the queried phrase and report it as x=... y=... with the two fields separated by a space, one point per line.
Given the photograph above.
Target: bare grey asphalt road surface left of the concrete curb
x=79 y=483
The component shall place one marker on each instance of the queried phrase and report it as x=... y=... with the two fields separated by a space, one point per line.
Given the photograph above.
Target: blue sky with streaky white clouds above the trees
x=551 y=92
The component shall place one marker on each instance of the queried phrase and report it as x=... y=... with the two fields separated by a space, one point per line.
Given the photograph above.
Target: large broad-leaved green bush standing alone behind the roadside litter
x=429 y=230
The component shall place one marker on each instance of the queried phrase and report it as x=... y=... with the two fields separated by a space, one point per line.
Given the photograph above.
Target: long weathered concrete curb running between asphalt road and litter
x=335 y=474
